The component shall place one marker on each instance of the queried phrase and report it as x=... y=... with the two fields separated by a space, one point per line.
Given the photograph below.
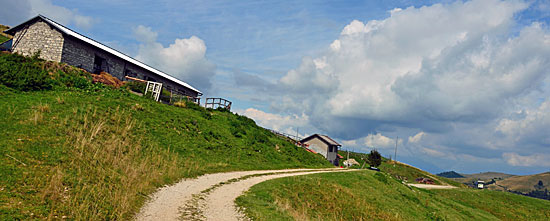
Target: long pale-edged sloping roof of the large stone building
x=103 y=47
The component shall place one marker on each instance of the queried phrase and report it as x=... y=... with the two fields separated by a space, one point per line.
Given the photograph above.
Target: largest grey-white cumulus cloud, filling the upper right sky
x=424 y=67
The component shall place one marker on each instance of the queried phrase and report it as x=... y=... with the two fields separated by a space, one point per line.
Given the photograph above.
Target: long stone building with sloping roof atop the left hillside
x=59 y=43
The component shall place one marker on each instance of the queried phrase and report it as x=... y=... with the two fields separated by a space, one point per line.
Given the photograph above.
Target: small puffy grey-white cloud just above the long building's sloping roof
x=184 y=59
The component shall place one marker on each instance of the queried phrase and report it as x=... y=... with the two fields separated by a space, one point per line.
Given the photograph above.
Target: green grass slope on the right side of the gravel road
x=370 y=195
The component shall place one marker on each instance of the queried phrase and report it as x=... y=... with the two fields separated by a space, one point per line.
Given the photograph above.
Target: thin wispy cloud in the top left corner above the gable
x=15 y=12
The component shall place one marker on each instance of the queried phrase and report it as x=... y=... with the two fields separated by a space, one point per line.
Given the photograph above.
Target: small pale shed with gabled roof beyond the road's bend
x=323 y=145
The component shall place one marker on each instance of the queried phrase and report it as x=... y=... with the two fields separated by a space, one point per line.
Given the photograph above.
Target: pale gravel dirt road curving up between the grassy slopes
x=211 y=196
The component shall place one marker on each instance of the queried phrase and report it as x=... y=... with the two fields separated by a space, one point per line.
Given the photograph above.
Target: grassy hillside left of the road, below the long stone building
x=72 y=149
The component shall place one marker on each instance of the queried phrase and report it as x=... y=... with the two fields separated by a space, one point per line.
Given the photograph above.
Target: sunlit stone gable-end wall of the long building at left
x=39 y=36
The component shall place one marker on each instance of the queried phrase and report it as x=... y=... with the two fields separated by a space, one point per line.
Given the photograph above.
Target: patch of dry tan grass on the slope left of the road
x=109 y=170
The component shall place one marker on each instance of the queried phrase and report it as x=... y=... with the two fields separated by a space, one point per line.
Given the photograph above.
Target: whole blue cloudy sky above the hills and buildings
x=457 y=85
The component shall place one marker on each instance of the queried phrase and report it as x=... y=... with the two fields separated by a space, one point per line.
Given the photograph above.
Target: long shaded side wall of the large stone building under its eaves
x=80 y=54
